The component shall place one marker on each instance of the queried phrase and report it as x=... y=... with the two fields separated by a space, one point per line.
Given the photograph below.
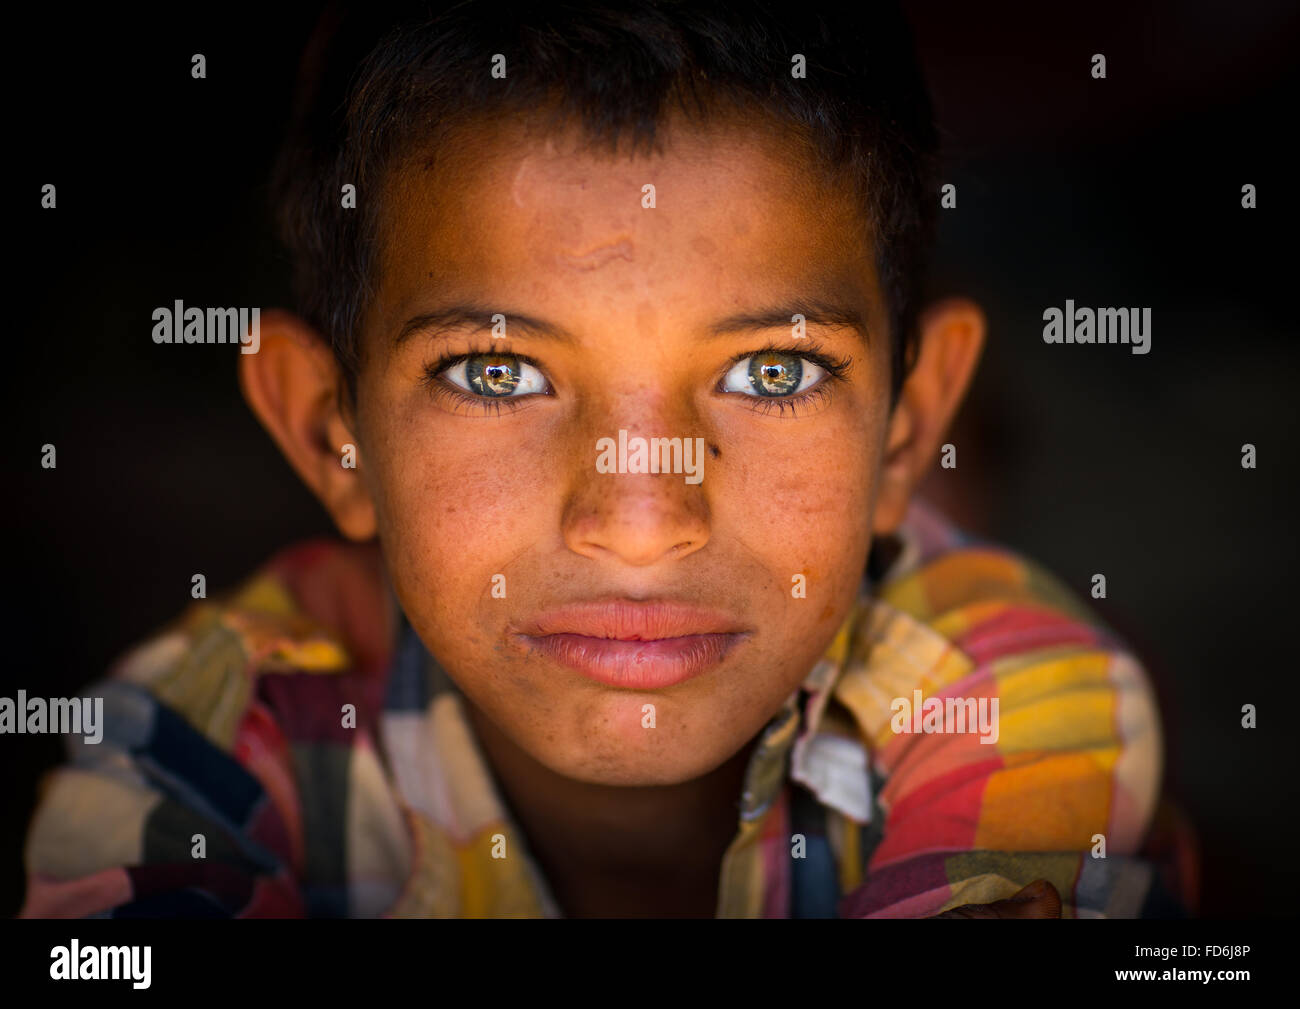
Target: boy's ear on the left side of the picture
x=297 y=389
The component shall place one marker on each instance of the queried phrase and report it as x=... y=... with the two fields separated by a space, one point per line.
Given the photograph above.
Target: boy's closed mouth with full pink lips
x=635 y=646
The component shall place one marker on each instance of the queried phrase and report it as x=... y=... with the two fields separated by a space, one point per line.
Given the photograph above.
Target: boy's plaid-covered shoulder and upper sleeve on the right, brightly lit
x=1013 y=737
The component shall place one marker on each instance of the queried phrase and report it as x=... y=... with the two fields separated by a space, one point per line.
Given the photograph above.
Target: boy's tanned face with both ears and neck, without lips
x=645 y=313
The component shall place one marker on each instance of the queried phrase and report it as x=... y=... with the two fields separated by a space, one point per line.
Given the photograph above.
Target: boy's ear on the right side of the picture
x=951 y=340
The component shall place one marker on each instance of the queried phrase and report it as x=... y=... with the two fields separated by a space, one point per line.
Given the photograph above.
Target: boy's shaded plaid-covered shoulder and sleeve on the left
x=203 y=731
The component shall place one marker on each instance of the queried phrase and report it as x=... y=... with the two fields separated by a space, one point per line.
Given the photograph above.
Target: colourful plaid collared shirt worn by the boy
x=332 y=773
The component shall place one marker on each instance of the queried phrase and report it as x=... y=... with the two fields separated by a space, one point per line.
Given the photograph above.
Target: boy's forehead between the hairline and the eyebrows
x=718 y=218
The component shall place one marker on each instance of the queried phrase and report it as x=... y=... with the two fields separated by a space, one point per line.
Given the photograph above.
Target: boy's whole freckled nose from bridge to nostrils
x=638 y=487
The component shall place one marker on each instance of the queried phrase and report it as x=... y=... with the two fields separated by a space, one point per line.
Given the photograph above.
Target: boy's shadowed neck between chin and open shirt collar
x=619 y=851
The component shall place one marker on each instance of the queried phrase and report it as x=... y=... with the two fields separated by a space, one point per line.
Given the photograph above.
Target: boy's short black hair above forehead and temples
x=378 y=85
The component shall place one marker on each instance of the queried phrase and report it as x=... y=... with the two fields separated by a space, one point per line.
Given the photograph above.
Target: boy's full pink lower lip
x=638 y=665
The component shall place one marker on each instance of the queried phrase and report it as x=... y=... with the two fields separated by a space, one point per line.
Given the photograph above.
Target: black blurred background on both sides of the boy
x=1124 y=192
